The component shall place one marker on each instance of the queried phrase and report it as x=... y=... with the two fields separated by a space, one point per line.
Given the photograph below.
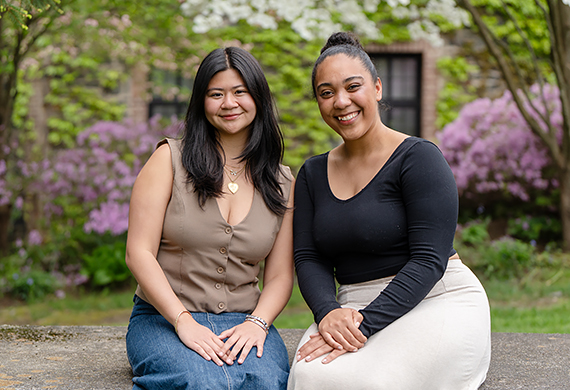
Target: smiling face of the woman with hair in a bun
x=347 y=96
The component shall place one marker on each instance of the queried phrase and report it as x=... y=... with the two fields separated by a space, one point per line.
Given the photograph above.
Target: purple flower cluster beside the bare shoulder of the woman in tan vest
x=98 y=174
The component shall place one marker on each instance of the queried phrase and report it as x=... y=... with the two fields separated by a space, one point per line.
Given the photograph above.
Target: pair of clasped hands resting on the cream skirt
x=338 y=333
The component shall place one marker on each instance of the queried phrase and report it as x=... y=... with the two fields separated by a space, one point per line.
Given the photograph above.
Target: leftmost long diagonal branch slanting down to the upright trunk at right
x=548 y=138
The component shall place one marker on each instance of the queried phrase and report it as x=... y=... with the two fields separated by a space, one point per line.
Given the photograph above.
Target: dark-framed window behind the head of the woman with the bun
x=401 y=90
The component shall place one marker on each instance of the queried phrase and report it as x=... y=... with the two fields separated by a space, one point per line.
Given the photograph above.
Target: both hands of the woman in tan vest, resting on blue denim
x=242 y=337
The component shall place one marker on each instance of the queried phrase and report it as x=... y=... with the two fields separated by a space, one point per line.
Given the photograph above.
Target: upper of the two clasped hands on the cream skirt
x=339 y=329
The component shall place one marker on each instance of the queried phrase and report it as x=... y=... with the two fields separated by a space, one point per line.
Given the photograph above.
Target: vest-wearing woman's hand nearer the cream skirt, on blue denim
x=242 y=337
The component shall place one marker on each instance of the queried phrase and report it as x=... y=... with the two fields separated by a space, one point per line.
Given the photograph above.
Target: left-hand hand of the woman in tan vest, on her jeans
x=200 y=339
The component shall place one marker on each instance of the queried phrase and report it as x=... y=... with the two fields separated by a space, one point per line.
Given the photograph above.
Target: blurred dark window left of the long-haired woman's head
x=169 y=94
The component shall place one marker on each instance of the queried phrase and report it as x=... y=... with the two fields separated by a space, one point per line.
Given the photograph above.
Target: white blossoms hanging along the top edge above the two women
x=313 y=18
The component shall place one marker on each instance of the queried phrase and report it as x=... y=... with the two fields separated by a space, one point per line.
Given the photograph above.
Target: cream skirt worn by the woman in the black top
x=444 y=343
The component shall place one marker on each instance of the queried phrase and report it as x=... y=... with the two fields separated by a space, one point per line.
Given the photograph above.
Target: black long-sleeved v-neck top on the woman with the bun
x=401 y=223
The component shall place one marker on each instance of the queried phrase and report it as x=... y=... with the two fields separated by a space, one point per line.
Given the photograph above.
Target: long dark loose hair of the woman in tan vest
x=264 y=150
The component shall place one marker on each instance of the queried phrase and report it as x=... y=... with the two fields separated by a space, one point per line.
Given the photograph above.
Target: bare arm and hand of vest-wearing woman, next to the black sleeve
x=277 y=287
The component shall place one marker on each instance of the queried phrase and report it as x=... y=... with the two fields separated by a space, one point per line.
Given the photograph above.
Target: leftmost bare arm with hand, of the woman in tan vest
x=149 y=199
